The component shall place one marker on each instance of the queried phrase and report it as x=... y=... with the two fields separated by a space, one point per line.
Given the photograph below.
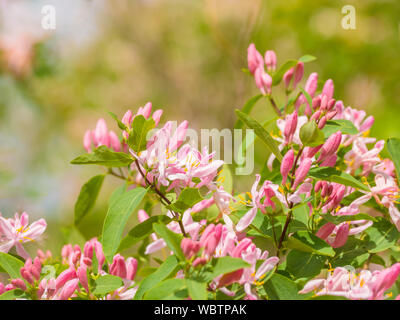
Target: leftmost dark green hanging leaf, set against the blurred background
x=87 y=197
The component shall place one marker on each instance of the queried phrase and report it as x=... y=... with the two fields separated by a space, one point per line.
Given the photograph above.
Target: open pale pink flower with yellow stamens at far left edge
x=15 y=232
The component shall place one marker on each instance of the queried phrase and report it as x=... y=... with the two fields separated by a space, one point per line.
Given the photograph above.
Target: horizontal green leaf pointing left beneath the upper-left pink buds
x=105 y=157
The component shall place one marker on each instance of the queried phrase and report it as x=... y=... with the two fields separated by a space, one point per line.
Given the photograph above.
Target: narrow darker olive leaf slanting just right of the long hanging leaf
x=141 y=231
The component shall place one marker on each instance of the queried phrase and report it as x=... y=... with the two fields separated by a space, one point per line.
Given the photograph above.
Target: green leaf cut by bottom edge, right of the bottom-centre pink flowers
x=281 y=288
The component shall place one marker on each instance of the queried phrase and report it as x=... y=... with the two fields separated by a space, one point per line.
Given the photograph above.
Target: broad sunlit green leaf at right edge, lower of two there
x=382 y=235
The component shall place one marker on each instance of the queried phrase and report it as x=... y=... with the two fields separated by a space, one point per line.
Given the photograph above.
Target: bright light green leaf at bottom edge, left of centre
x=170 y=289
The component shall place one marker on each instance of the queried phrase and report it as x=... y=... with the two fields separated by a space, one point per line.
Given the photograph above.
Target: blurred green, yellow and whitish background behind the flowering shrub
x=185 y=56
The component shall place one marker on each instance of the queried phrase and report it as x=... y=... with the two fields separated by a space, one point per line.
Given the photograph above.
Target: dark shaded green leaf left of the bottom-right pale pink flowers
x=304 y=264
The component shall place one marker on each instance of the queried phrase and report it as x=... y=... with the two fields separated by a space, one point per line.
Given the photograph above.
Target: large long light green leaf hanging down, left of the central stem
x=117 y=216
